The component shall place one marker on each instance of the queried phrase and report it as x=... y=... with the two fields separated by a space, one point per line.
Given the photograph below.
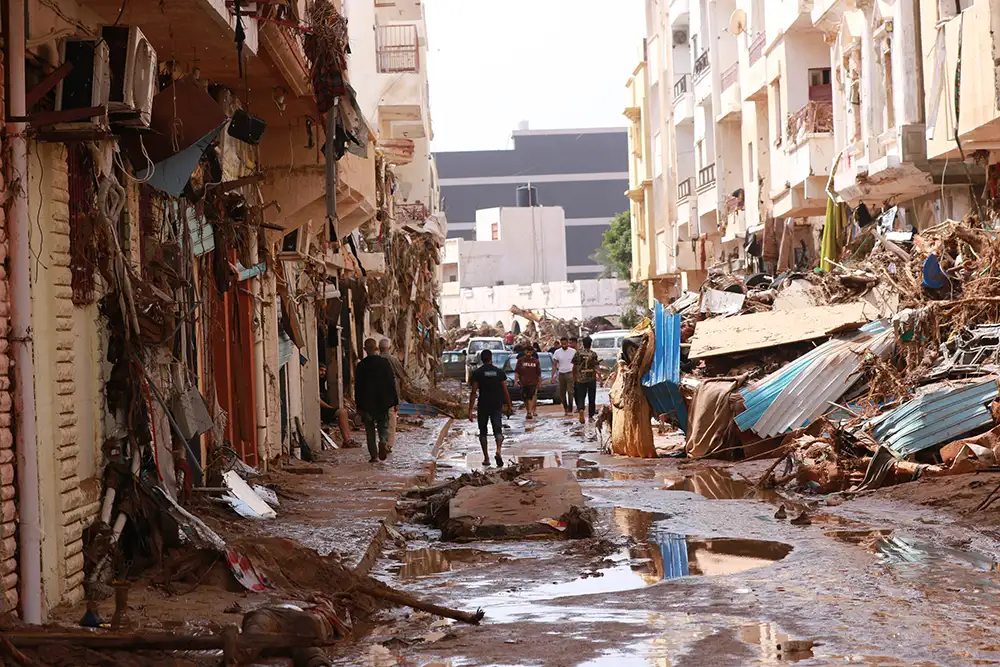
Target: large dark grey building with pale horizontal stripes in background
x=583 y=171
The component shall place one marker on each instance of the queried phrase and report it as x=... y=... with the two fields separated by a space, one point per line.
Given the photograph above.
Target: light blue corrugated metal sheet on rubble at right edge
x=935 y=418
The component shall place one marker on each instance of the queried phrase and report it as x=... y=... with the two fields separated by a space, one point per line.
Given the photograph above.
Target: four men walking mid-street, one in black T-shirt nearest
x=574 y=369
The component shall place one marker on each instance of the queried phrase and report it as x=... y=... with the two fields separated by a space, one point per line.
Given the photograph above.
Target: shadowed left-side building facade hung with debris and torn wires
x=205 y=203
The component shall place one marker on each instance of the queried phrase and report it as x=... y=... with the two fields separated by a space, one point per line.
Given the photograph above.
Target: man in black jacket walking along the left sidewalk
x=375 y=395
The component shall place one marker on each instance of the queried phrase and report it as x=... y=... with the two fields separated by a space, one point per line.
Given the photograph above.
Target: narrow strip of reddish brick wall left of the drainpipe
x=8 y=508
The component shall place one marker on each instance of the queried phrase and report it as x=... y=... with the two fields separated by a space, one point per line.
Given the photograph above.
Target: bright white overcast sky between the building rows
x=555 y=63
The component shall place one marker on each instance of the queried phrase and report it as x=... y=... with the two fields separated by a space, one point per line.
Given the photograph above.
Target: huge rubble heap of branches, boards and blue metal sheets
x=880 y=370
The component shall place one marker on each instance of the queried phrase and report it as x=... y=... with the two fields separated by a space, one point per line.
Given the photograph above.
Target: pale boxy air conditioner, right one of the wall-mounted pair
x=132 y=62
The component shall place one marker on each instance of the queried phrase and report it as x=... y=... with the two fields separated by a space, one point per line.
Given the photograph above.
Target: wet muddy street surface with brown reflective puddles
x=690 y=566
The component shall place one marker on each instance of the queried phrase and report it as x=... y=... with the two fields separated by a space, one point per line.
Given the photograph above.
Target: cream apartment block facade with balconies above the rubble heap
x=747 y=118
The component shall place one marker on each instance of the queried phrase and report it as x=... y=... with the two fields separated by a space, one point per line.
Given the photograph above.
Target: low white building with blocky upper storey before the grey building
x=518 y=258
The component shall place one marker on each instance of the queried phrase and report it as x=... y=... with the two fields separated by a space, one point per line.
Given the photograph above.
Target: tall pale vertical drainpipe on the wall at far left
x=30 y=530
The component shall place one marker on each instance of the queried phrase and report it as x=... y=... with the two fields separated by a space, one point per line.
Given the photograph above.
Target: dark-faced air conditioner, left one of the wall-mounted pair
x=89 y=82
